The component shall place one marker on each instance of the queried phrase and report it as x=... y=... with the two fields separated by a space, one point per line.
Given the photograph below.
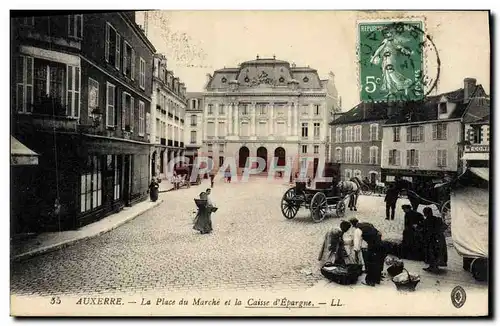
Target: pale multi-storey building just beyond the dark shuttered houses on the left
x=167 y=117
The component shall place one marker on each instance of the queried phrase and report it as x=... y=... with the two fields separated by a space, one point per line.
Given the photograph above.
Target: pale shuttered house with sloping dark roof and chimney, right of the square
x=424 y=141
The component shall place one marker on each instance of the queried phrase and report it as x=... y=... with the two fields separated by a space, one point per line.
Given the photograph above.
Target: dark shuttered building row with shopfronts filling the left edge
x=81 y=87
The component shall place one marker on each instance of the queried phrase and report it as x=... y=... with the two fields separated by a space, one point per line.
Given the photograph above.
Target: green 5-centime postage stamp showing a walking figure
x=391 y=60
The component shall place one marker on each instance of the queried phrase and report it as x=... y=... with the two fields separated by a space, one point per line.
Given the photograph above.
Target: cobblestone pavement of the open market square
x=252 y=247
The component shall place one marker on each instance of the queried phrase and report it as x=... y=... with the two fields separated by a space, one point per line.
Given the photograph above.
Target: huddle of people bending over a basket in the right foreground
x=357 y=243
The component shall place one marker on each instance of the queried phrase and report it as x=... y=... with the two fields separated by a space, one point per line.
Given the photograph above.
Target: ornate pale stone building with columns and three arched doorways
x=268 y=108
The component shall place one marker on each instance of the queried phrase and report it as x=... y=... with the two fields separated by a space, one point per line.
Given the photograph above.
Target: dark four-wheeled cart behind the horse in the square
x=321 y=202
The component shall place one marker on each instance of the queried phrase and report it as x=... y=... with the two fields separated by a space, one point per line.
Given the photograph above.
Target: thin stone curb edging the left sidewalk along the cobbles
x=67 y=243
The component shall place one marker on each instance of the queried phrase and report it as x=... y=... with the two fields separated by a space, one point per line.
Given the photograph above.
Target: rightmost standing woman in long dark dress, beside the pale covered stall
x=436 y=252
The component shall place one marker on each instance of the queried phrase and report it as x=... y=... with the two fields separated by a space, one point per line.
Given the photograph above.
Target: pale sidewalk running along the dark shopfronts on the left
x=51 y=241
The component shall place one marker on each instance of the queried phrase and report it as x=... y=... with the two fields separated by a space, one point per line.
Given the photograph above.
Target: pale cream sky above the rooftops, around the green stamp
x=198 y=42
